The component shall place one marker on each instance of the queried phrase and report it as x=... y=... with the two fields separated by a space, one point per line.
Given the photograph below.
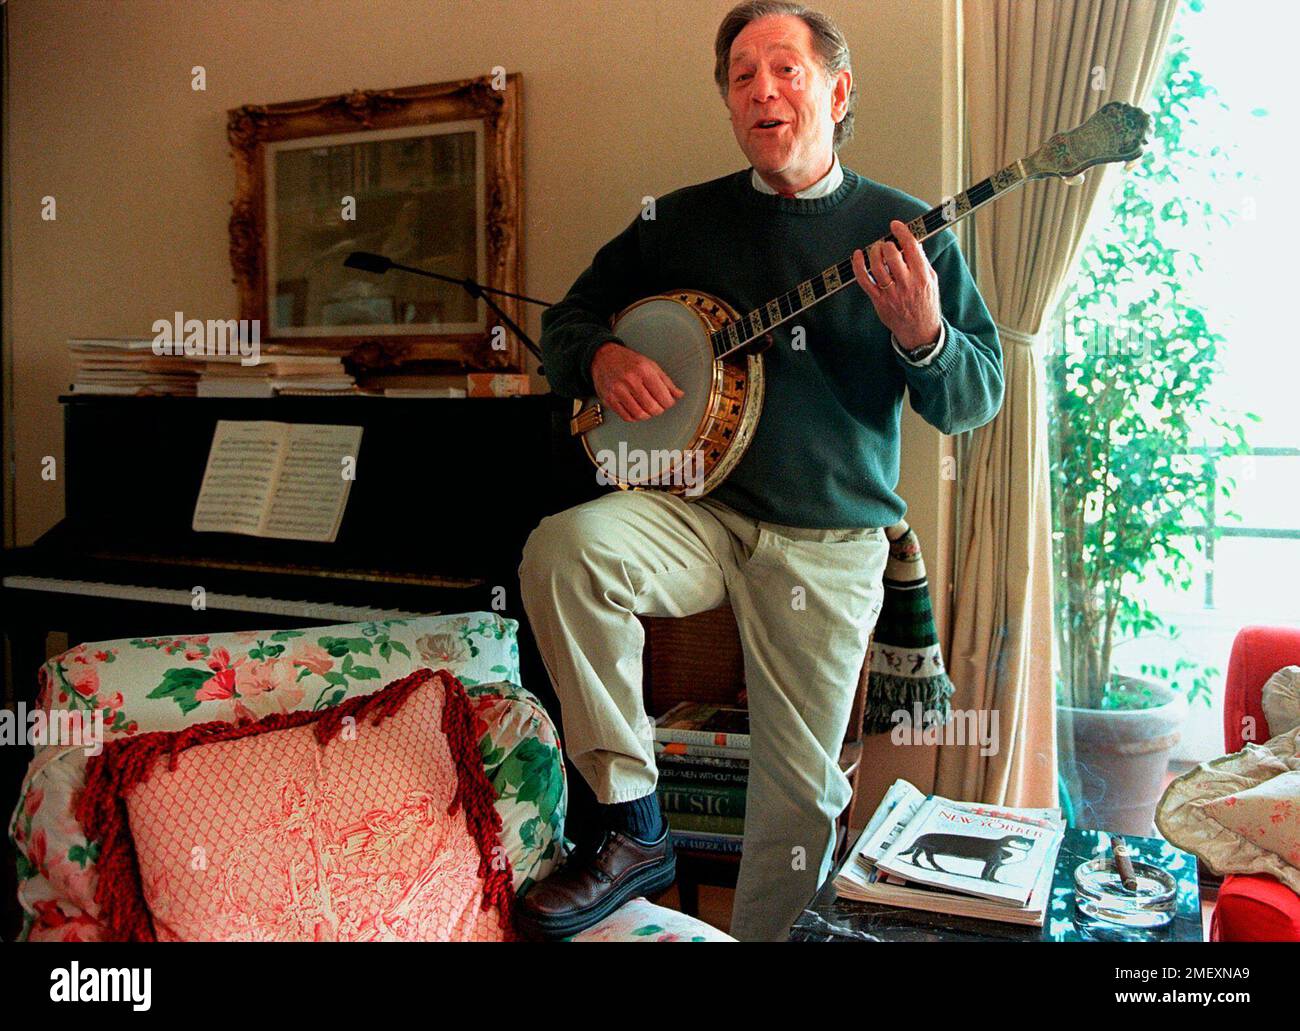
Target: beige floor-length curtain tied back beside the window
x=1033 y=68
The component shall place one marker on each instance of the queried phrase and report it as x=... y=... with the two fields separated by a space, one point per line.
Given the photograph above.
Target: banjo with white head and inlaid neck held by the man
x=714 y=353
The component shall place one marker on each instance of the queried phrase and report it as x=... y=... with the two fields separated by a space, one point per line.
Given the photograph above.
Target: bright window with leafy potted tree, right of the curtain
x=1175 y=411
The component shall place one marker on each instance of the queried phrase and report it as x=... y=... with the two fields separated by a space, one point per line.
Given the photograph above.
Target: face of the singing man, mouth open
x=783 y=106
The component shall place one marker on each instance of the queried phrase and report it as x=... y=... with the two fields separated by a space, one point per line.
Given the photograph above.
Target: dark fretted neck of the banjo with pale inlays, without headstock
x=757 y=324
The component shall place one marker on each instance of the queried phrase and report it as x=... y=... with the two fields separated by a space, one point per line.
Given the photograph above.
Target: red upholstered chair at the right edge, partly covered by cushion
x=1255 y=907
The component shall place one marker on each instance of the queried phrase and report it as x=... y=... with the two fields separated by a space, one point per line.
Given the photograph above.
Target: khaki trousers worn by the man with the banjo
x=807 y=603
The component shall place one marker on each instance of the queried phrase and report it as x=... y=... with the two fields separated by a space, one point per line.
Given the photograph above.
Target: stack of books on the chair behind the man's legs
x=703 y=752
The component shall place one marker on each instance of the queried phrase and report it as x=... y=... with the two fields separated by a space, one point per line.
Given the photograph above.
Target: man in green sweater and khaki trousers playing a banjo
x=794 y=539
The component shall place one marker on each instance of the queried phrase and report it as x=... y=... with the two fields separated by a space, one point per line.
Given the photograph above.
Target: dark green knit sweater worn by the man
x=826 y=449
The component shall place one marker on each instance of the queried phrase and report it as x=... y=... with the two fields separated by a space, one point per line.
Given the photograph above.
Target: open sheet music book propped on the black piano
x=284 y=480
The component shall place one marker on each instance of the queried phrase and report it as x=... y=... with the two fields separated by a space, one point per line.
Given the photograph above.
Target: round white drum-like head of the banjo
x=652 y=453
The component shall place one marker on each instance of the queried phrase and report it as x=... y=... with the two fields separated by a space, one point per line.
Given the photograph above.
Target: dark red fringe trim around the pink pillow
x=111 y=776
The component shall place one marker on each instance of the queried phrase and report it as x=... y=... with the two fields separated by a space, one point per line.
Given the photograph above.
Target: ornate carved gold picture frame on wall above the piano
x=253 y=127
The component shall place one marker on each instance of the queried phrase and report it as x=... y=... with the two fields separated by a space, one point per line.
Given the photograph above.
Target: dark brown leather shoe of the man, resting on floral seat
x=595 y=882
